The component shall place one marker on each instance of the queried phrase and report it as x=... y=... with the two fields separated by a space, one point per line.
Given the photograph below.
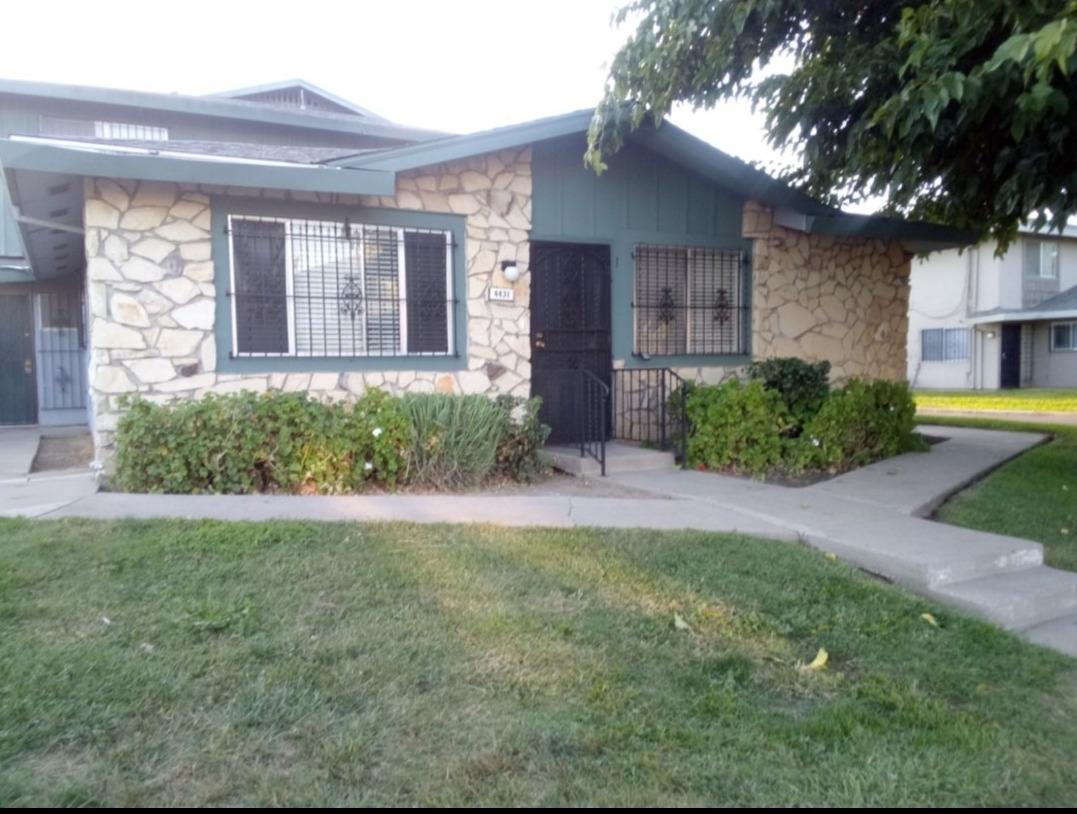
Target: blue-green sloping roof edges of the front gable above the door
x=798 y=210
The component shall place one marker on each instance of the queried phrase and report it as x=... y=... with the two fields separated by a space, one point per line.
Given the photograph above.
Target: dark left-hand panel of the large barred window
x=261 y=287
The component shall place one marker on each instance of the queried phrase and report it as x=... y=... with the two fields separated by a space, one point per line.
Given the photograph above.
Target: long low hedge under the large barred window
x=291 y=443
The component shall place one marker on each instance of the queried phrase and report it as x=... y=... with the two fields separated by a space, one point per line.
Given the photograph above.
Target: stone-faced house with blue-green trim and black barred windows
x=281 y=237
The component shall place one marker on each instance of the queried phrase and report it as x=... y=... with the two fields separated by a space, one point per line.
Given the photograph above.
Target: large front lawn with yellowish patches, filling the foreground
x=162 y=664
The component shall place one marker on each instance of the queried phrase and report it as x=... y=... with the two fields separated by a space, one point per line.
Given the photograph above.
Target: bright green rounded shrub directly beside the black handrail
x=738 y=427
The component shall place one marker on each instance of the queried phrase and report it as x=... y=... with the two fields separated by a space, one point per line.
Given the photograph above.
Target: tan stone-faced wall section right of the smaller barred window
x=823 y=298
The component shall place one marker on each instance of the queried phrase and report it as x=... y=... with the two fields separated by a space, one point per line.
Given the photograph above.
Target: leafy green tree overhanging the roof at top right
x=957 y=111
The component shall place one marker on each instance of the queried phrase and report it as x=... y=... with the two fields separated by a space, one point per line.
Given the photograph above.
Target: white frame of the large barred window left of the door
x=290 y=290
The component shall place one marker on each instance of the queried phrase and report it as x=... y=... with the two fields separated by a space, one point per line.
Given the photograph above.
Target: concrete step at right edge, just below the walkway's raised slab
x=1019 y=600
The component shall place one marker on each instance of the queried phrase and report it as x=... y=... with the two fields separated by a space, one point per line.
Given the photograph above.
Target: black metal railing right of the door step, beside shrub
x=646 y=411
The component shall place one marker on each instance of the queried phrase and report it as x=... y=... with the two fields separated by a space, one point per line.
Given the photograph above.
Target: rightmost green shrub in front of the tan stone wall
x=863 y=423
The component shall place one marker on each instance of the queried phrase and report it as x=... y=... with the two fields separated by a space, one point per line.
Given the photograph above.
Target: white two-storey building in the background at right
x=983 y=321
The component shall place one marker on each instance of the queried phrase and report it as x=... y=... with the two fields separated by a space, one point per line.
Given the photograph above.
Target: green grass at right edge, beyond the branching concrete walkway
x=1033 y=497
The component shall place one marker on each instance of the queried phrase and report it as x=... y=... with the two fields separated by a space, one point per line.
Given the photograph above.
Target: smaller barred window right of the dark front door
x=690 y=301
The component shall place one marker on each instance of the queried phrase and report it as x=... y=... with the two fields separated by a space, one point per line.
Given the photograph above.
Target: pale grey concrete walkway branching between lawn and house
x=874 y=518
